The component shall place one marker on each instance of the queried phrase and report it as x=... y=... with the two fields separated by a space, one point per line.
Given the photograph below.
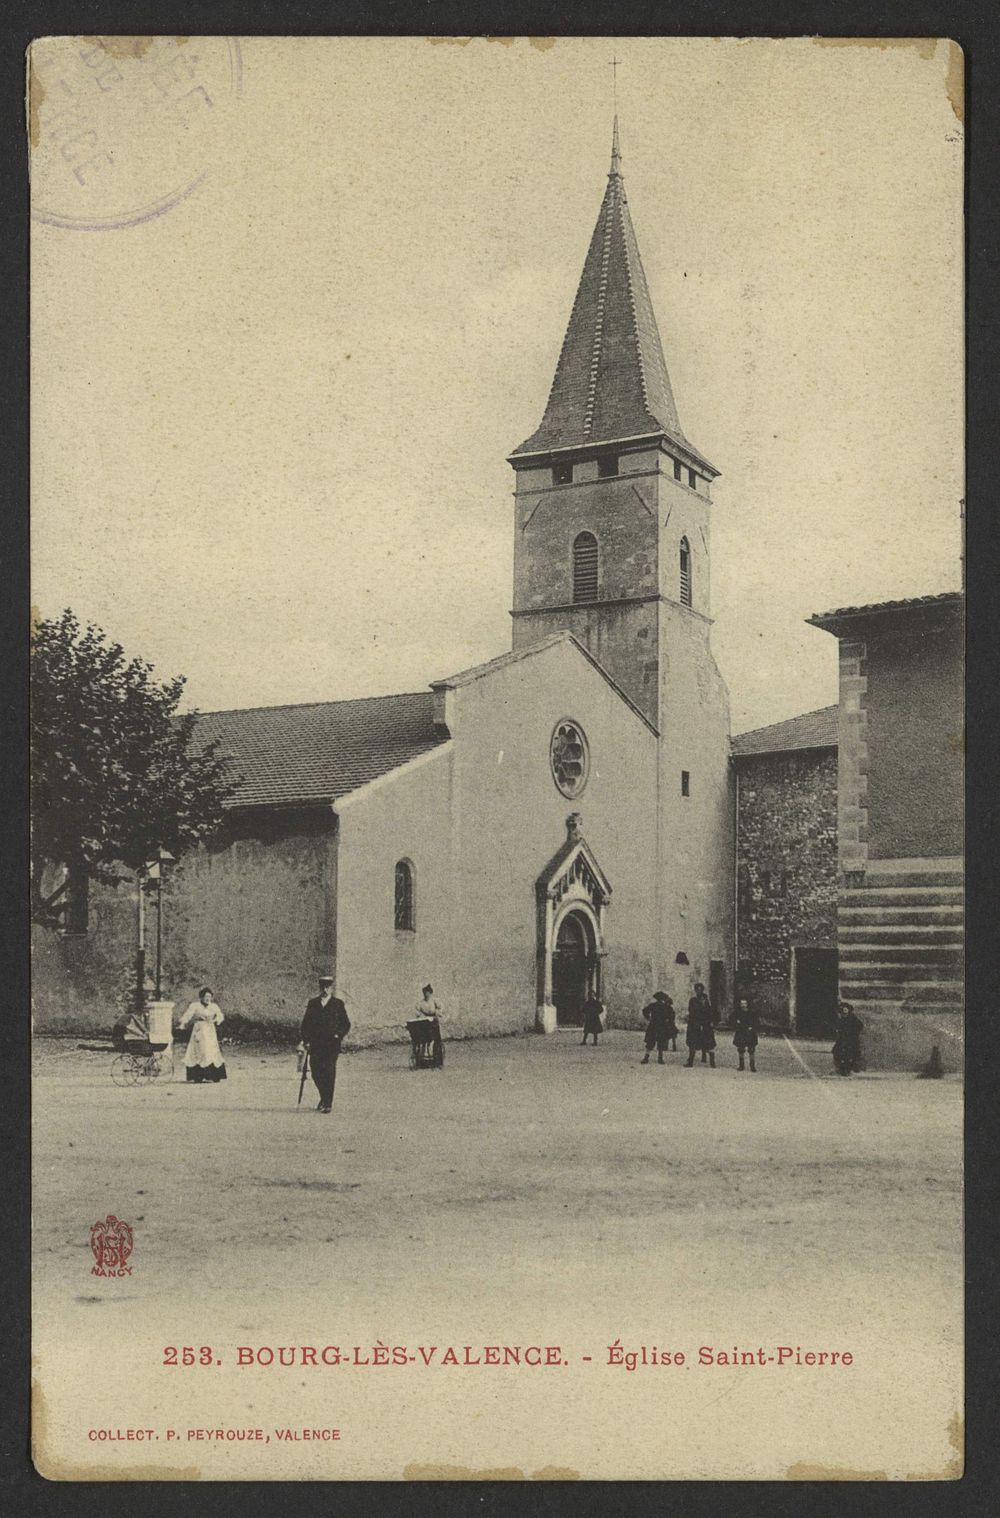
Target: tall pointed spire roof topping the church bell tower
x=611 y=382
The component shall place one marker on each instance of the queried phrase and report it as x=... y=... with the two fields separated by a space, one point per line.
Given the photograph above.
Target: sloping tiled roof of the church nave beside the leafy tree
x=316 y=754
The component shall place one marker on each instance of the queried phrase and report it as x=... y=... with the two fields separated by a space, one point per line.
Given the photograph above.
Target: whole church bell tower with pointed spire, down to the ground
x=612 y=543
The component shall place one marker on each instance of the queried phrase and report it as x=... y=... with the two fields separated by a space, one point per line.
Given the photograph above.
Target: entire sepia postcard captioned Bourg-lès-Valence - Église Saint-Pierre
x=497 y=735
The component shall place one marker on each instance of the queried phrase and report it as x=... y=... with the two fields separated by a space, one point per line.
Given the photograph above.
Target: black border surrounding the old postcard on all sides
x=976 y=28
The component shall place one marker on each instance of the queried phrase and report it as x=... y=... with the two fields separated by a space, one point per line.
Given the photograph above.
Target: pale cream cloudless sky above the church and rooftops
x=271 y=423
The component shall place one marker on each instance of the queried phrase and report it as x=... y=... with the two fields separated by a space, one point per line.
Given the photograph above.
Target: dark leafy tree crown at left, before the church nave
x=116 y=773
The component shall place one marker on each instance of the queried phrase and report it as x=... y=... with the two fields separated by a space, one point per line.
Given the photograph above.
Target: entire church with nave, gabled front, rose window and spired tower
x=550 y=825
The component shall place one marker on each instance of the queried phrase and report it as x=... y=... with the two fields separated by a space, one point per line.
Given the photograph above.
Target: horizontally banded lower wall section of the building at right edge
x=902 y=937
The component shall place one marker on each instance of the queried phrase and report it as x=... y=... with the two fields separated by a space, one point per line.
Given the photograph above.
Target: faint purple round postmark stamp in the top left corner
x=125 y=128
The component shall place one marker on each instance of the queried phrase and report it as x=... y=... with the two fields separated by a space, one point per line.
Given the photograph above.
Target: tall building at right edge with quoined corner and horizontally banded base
x=901 y=825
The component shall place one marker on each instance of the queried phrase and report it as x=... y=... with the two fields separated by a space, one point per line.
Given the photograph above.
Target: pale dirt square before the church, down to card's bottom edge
x=536 y=1197
